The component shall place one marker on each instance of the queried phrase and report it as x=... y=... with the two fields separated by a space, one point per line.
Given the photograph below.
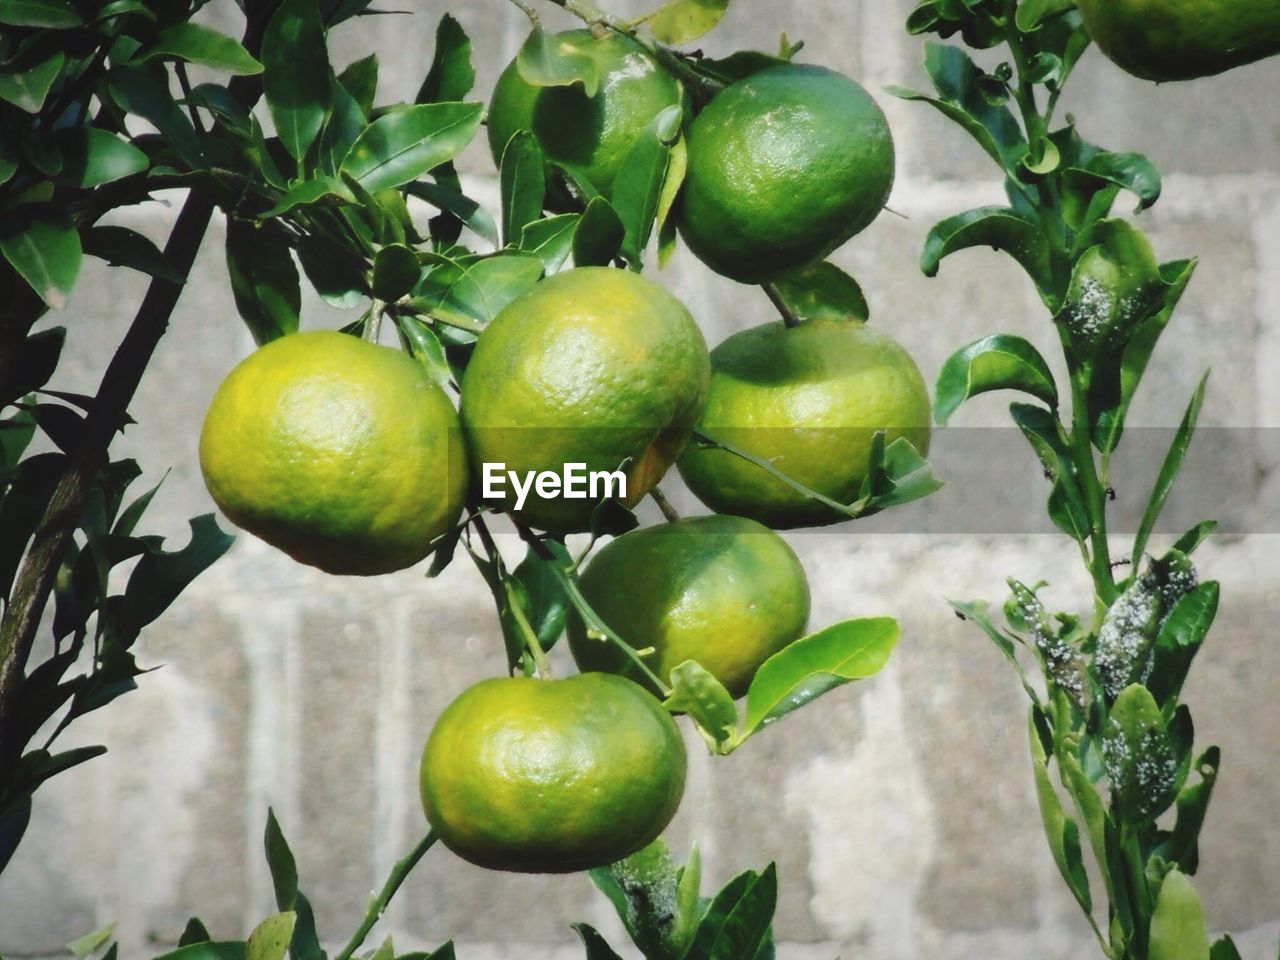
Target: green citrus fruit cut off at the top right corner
x=1169 y=40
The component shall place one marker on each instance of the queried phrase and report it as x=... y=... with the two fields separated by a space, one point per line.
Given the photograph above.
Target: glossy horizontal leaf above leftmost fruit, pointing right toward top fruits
x=405 y=144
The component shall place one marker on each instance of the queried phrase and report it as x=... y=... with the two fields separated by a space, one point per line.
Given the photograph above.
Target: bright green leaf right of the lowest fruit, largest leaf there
x=853 y=650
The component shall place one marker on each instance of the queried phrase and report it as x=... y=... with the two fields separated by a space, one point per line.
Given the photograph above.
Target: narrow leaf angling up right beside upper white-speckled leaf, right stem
x=1118 y=374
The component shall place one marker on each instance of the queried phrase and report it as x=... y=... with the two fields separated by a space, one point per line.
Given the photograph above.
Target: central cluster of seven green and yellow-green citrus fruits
x=348 y=455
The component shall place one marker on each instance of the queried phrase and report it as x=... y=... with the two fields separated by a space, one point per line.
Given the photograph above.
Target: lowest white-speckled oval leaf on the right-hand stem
x=1139 y=756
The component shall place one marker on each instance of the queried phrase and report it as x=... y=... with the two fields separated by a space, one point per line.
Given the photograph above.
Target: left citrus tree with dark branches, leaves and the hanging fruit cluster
x=540 y=381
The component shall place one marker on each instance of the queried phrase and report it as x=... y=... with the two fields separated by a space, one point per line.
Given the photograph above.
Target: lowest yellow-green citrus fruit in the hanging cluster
x=543 y=776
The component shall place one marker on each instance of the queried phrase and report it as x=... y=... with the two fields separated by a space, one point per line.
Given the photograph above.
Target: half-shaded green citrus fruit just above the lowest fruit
x=723 y=591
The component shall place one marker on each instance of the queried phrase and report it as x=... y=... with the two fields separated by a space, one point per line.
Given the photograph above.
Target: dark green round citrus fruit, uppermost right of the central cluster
x=784 y=167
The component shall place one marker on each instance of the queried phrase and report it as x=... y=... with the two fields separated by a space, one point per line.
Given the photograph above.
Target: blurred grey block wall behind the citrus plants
x=902 y=811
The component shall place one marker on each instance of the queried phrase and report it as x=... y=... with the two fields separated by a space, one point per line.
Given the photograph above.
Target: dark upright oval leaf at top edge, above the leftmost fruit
x=296 y=77
